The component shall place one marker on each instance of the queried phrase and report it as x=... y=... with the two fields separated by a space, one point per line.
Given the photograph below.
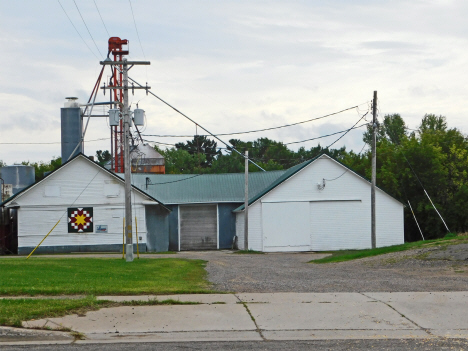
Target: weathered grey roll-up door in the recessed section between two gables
x=198 y=227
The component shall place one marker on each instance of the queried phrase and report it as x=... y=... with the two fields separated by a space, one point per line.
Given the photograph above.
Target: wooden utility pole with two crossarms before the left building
x=127 y=164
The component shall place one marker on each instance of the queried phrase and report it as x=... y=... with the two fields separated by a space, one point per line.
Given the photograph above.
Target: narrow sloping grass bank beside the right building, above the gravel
x=347 y=255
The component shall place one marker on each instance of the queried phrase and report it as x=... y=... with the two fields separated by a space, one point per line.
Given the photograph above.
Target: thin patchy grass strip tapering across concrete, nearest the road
x=14 y=311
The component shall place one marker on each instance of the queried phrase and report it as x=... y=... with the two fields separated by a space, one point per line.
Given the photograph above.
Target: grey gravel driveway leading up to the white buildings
x=434 y=269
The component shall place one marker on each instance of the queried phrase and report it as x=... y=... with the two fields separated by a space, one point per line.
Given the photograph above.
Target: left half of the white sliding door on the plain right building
x=286 y=226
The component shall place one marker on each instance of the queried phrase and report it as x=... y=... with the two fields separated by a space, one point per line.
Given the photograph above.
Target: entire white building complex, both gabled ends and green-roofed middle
x=319 y=205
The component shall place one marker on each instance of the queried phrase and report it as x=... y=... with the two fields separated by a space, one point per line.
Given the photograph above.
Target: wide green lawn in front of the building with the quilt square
x=101 y=276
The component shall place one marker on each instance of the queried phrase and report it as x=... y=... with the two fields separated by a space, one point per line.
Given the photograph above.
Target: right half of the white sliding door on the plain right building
x=339 y=225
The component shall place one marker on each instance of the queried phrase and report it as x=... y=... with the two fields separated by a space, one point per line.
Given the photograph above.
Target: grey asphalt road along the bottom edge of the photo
x=336 y=345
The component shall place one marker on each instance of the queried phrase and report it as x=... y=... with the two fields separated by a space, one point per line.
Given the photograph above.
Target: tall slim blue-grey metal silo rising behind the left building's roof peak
x=72 y=129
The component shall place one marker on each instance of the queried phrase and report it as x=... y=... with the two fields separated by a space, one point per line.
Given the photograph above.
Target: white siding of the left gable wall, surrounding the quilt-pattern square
x=82 y=184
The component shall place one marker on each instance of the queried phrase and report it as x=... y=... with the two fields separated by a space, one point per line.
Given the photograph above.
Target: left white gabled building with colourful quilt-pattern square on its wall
x=78 y=185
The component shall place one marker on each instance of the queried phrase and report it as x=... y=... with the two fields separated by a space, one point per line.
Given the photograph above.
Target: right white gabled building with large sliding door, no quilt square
x=319 y=205
